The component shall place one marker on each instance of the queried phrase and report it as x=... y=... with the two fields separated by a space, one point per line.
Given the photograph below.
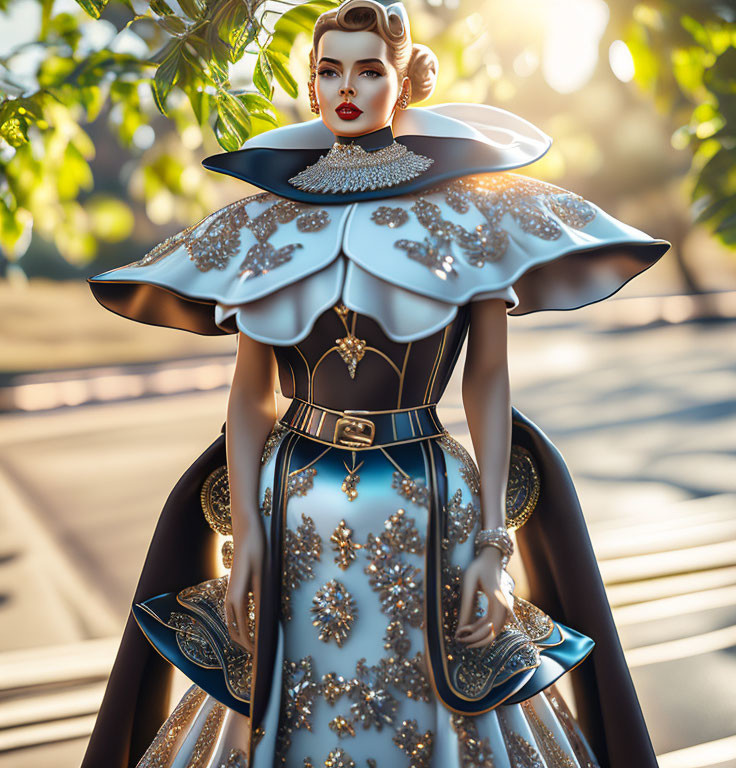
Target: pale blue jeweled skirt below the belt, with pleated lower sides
x=351 y=686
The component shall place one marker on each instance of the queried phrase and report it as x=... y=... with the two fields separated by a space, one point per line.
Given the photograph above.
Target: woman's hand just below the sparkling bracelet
x=484 y=575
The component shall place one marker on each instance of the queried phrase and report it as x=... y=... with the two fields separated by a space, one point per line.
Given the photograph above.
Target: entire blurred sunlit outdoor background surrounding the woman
x=107 y=111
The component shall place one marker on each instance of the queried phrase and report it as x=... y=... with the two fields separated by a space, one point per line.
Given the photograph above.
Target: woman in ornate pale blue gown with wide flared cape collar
x=368 y=619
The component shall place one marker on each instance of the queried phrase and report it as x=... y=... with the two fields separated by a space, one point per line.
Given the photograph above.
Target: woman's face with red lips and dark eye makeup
x=356 y=84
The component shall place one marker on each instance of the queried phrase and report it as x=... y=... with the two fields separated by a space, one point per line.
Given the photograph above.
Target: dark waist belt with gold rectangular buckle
x=362 y=429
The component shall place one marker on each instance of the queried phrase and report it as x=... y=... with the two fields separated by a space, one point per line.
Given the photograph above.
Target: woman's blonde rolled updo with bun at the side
x=417 y=62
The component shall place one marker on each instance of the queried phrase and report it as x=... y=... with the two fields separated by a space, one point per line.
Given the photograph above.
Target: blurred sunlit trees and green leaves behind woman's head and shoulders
x=108 y=108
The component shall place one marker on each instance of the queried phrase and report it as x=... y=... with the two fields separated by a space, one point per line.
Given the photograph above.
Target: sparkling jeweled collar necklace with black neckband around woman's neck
x=360 y=163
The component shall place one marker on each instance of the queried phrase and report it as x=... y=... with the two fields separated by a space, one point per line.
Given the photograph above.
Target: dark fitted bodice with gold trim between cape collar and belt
x=348 y=362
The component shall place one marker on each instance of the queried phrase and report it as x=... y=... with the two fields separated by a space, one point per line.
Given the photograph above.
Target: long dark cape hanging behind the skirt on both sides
x=564 y=582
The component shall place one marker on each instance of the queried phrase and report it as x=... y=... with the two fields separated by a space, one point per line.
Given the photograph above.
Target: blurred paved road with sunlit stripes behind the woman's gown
x=645 y=419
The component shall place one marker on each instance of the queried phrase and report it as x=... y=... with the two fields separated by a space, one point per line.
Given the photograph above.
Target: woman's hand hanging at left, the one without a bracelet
x=245 y=577
